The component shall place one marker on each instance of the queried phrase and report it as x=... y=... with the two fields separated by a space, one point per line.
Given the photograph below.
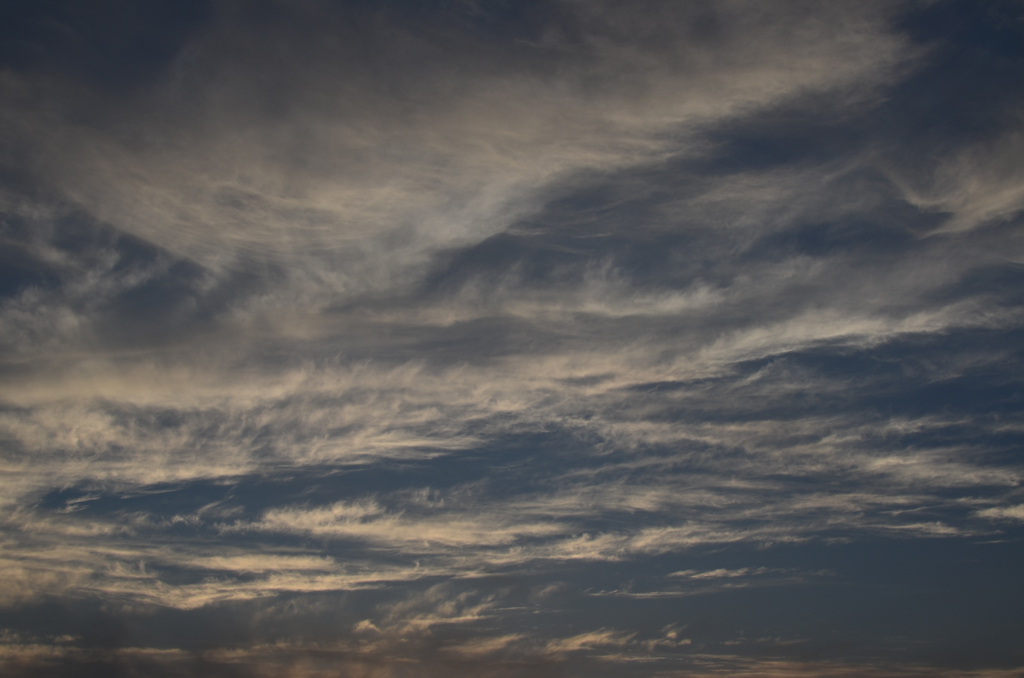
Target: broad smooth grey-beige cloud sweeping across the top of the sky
x=461 y=163
